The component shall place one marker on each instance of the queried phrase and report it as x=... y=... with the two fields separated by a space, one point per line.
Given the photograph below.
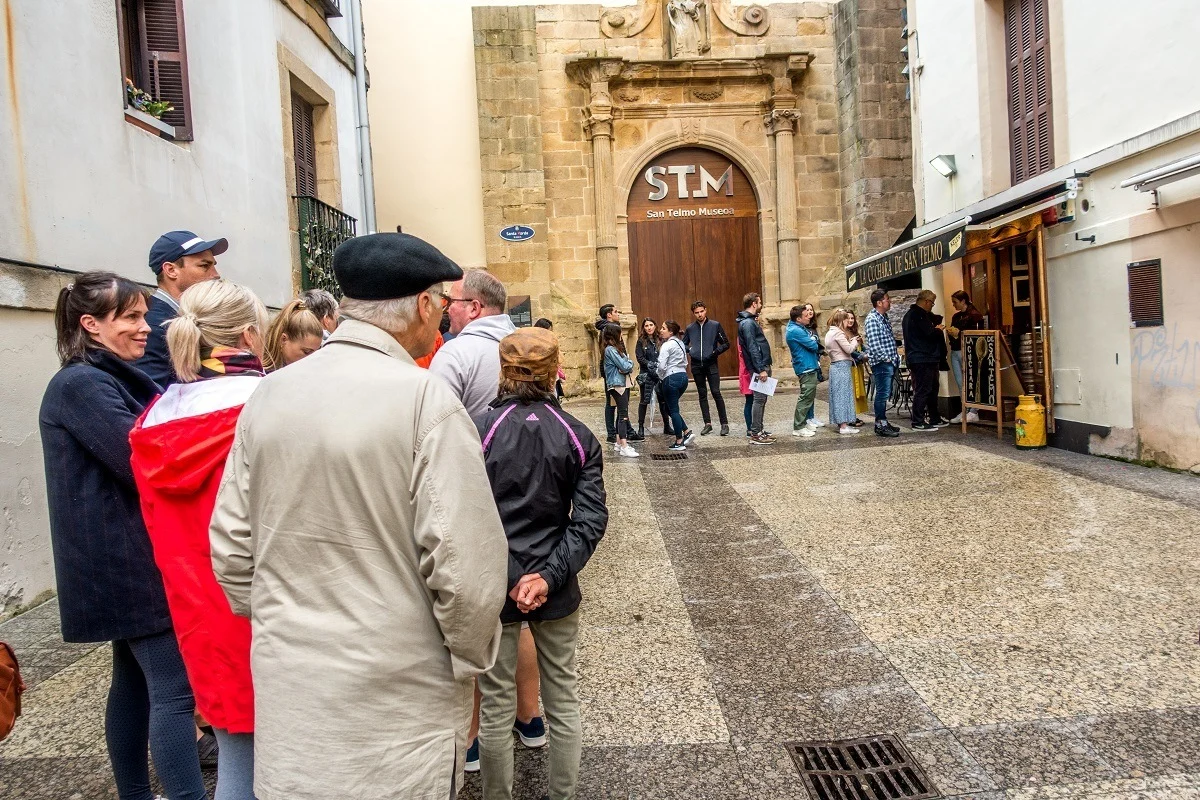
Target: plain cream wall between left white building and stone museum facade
x=425 y=119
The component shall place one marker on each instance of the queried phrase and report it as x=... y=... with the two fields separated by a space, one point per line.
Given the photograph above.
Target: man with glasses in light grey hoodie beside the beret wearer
x=471 y=362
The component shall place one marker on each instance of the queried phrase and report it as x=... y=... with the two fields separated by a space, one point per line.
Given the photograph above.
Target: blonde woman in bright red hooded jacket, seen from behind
x=181 y=446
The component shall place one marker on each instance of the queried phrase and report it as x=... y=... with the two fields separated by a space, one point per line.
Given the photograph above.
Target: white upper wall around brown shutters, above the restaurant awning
x=1118 y=71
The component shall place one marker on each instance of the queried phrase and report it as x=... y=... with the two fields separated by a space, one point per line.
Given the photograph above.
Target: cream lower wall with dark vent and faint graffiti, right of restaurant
x=1144 y=378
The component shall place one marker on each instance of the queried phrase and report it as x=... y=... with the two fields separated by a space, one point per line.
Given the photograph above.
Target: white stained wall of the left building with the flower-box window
x=83 y=189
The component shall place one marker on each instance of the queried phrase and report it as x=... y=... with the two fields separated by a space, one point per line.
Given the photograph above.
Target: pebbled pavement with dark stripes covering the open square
x=1025 y=622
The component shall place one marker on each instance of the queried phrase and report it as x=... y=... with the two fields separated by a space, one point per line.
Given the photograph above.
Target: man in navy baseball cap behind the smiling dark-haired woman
x=179 y=260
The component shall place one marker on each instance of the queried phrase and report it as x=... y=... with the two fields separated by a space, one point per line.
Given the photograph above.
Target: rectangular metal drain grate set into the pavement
x=875 y=768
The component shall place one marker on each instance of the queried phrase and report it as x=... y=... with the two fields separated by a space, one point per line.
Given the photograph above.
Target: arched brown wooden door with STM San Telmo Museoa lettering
x=693 y=226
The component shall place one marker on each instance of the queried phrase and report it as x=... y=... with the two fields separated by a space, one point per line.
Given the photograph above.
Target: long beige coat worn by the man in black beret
x=356 y=527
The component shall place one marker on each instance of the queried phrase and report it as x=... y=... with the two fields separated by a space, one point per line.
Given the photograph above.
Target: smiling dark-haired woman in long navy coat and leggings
x=110 y=590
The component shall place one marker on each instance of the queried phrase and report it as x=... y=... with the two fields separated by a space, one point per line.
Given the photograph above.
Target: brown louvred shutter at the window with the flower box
x=165 y=61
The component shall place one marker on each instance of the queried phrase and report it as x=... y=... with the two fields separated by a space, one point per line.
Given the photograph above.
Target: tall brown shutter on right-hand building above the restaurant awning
x=1031 y=121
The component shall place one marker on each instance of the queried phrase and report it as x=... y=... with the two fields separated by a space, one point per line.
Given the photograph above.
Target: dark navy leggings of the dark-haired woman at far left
x=151 y=701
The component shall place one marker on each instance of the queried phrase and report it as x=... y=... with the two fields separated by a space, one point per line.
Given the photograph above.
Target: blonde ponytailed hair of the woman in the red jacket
x=214 y=314
